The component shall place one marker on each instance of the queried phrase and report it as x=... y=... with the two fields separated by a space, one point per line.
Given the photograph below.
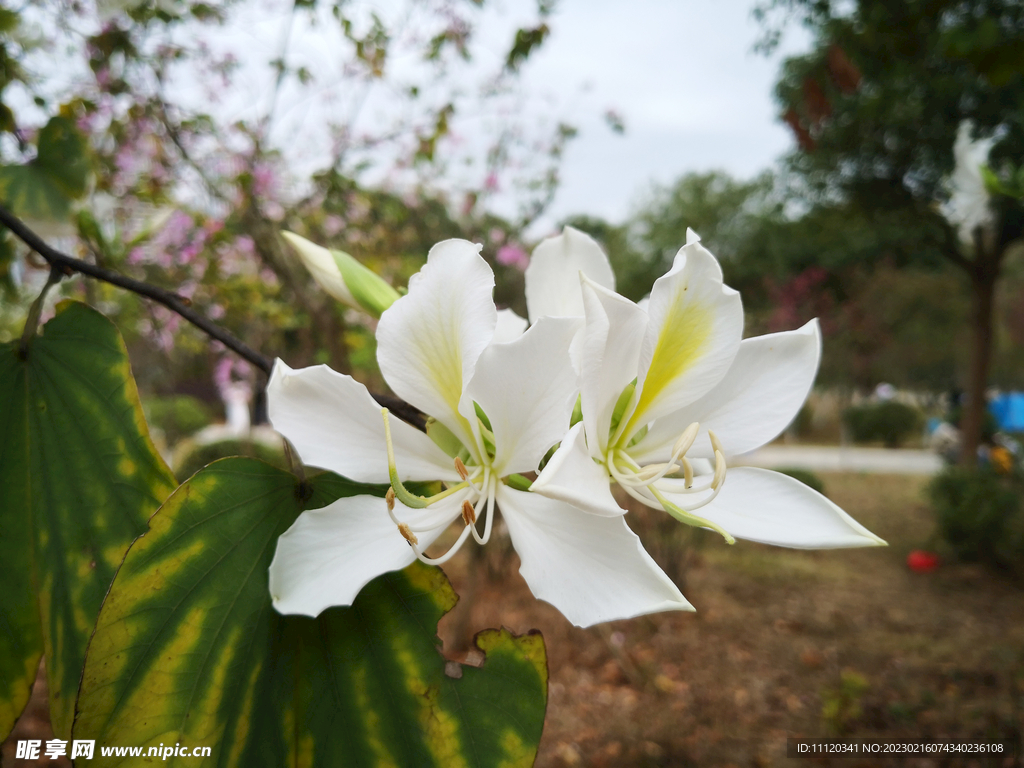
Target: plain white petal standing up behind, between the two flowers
x=553 y=275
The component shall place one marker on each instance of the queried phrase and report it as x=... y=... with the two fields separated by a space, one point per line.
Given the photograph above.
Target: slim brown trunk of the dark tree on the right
x=984 y=279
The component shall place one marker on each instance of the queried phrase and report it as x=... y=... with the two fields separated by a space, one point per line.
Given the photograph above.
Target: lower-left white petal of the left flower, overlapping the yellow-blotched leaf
x=329 y=554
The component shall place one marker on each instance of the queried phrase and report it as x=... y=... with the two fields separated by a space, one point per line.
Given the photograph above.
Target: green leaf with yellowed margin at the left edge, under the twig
x=80 y=479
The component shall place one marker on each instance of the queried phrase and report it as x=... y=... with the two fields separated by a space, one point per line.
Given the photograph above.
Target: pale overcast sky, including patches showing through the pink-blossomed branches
x=681 y=73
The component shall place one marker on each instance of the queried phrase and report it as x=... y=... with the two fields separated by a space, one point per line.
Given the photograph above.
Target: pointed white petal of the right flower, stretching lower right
x=763 y=506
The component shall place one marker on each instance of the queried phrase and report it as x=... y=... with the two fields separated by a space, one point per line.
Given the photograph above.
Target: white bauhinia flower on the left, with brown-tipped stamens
x=497 y=408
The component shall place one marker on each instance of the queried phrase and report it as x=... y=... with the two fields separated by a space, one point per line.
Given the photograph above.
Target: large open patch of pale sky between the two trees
x=682 y=74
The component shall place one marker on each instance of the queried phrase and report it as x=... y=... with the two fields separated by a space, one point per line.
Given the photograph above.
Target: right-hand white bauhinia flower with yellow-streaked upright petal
x=666 y=389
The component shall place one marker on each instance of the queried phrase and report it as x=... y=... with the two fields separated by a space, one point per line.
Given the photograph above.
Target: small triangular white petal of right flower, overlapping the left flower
x=572 y=476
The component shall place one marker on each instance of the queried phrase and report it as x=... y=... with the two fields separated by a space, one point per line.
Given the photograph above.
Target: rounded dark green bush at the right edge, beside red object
x=980 y=515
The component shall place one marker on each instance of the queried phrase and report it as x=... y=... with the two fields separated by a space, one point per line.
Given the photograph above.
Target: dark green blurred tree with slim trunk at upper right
x=877 y=107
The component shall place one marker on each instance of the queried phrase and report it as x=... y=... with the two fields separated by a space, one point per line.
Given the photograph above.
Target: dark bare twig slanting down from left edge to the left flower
x=172 y=301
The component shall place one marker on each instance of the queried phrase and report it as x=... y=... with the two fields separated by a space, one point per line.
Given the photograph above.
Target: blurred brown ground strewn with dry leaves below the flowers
x=784 y=644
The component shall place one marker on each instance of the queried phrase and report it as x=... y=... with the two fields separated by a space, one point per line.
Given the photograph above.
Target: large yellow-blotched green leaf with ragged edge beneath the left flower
x=189 y=650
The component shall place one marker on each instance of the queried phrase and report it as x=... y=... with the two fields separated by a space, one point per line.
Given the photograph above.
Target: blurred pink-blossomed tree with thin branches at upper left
x=192 y=149
